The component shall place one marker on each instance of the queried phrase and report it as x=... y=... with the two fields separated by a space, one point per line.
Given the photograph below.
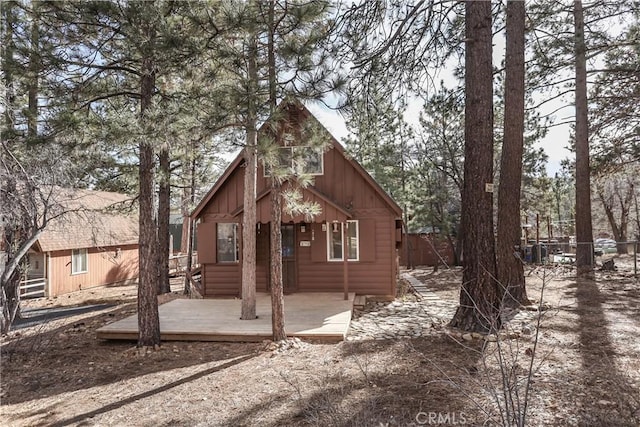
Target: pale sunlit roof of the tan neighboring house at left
x=93 y=220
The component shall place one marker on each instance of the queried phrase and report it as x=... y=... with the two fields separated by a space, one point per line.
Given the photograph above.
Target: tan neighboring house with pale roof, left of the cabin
x=94 y=244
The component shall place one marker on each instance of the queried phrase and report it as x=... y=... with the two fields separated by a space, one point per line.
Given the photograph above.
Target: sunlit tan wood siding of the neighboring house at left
x=104 y=267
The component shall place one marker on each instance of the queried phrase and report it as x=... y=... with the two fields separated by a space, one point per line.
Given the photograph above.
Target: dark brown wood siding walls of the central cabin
x=344 y=192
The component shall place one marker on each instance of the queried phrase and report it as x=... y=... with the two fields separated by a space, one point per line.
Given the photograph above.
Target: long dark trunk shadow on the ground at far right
x=610 y=398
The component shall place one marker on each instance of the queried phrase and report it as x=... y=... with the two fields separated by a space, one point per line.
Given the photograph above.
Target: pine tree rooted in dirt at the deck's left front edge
x=119 y=51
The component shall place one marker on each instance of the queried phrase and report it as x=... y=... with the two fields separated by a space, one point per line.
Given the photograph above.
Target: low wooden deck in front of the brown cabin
x=316 y=316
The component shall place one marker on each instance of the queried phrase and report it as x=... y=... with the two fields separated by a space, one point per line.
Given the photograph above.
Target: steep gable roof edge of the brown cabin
x=334 y=143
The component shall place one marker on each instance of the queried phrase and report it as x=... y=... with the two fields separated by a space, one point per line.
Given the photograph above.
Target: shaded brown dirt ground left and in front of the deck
x=50 y=361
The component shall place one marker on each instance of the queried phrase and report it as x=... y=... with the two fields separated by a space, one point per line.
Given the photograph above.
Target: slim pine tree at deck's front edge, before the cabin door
x=295 y=35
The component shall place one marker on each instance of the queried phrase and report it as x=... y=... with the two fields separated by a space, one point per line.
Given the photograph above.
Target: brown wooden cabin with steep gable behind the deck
x=312 y=250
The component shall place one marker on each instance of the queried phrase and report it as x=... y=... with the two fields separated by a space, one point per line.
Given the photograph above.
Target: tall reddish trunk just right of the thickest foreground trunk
x=509 y=265
